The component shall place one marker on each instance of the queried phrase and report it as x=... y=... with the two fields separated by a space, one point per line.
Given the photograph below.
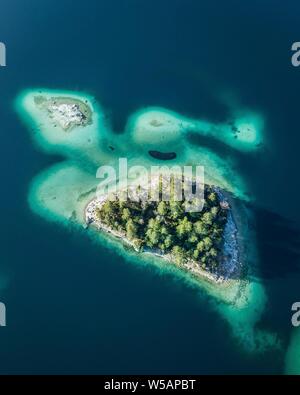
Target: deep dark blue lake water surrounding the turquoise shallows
x=73 y=307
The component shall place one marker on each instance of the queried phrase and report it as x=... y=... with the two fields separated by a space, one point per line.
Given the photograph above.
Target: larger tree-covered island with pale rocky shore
x=194 y=241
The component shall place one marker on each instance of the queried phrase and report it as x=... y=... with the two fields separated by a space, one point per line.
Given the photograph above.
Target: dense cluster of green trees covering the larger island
x=166 y=226
